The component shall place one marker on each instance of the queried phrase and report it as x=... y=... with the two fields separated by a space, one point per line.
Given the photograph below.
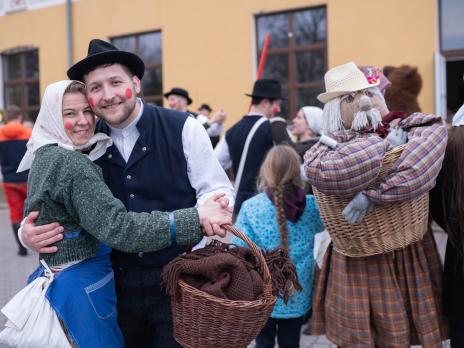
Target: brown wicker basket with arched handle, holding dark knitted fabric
x=202 y=320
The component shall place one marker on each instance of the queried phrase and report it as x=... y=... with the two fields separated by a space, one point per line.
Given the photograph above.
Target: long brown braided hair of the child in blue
x=279 y=172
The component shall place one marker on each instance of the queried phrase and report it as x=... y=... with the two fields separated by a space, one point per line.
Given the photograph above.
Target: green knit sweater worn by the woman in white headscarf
x=66 y=187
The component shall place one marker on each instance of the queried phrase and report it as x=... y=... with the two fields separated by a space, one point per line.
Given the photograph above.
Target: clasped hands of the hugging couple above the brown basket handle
x=214 y=213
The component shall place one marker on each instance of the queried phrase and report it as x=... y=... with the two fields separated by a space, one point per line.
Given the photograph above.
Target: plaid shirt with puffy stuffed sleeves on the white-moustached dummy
x=357 y=160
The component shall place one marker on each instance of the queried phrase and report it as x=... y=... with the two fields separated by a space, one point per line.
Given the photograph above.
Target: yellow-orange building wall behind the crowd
x=209 y=45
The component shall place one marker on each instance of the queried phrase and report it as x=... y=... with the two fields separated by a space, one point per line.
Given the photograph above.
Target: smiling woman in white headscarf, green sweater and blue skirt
x=66 y=186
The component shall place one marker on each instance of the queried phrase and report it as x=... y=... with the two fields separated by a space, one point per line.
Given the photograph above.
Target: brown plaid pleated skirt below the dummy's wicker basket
x=389 y=300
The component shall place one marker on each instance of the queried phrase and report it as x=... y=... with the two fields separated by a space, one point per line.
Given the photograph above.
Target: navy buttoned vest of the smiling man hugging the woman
x=154 y=178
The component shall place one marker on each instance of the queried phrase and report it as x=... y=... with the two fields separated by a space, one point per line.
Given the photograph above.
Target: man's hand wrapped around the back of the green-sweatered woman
x=38 y=238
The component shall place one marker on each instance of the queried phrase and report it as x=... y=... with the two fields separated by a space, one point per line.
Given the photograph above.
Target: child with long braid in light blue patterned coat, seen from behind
x=283 y=215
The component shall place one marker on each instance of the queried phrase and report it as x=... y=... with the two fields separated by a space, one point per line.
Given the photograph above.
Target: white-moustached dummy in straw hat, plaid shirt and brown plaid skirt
x=391 y=299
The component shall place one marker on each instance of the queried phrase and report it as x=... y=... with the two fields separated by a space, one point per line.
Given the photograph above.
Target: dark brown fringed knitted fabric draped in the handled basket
x=231 y=273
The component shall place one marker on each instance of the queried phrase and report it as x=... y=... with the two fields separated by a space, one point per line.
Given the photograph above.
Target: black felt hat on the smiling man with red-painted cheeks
x=101 y=52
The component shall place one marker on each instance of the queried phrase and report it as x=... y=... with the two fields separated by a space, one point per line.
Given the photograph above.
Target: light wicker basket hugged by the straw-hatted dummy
x=385 y=229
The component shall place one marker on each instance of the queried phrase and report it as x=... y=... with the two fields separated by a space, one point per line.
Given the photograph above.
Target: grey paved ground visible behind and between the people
x=14 y=270
